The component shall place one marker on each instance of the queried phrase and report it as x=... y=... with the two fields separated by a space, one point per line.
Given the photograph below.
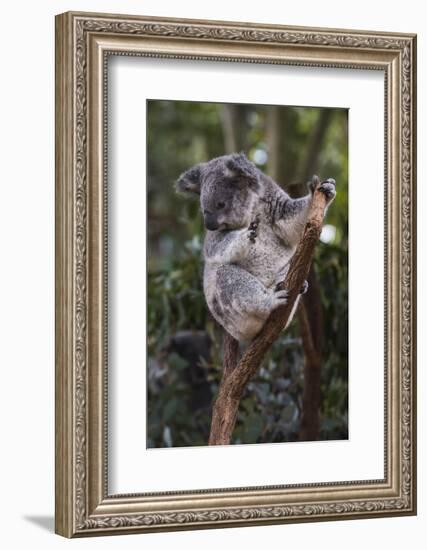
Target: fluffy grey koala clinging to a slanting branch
x=253 y=229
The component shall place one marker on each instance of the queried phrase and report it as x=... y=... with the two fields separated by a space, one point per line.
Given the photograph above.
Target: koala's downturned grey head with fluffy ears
x=228 y=188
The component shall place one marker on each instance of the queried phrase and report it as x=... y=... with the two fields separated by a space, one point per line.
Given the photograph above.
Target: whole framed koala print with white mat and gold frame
x=235 y=274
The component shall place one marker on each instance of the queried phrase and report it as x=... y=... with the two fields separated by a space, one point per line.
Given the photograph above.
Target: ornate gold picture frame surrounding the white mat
x=83 y=42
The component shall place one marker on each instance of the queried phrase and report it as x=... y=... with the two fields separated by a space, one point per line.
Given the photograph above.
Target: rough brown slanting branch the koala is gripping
x=236 y=378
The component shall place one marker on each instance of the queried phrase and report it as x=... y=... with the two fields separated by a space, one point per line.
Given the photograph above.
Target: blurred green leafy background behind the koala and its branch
x=184 y=343
